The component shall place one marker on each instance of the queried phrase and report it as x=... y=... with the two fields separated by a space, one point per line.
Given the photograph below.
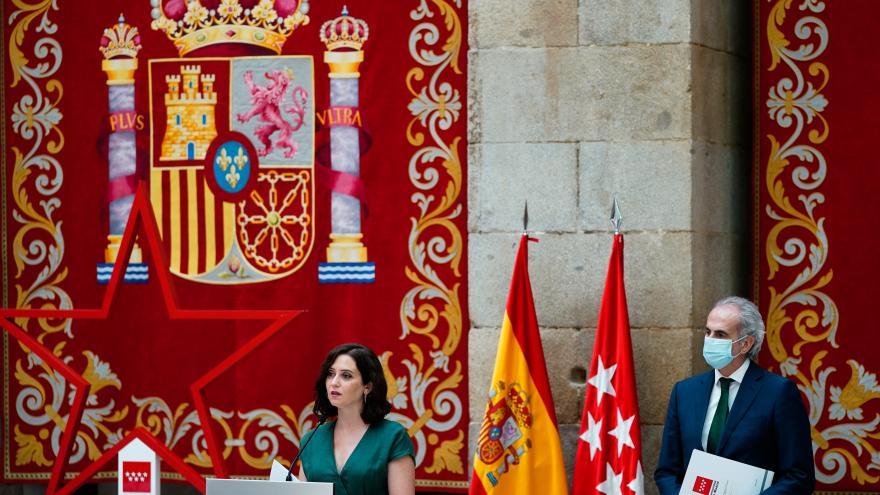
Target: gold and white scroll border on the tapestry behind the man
x=802 y=318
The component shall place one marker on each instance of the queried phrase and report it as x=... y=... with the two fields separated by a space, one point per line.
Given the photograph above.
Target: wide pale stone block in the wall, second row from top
x=583 y=94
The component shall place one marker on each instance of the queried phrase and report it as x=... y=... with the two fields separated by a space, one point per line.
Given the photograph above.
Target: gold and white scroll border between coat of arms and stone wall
x=431 y=309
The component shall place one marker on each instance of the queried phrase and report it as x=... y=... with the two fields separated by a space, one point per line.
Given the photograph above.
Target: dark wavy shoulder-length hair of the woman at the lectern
x=376 y=405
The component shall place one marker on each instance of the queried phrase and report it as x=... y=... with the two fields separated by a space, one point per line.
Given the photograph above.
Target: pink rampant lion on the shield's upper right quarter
x=267 y=102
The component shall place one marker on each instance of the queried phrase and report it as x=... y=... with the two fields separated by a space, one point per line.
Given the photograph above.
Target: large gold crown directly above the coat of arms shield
x=195 y=24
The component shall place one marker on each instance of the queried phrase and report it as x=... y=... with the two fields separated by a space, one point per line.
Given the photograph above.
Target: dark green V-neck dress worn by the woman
x=366 y=470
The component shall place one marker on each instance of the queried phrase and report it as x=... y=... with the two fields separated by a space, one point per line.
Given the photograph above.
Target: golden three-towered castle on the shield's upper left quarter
x=189 y=106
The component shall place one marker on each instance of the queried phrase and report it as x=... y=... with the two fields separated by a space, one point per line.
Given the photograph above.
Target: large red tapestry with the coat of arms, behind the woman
x=282 y=176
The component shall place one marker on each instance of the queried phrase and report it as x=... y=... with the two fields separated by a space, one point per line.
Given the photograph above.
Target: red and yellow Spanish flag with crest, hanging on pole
x=518 y=448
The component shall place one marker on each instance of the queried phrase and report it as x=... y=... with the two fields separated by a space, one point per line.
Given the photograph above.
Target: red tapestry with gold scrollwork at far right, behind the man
x=816 y=223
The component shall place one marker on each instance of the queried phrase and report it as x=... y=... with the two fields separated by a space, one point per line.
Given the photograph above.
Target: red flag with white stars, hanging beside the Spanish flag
x=610 y=447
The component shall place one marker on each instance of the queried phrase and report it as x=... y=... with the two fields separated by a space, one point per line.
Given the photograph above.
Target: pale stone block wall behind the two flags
x=571 y=103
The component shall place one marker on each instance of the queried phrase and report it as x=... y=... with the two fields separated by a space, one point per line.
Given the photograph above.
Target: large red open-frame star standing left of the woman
x=141 y=217
